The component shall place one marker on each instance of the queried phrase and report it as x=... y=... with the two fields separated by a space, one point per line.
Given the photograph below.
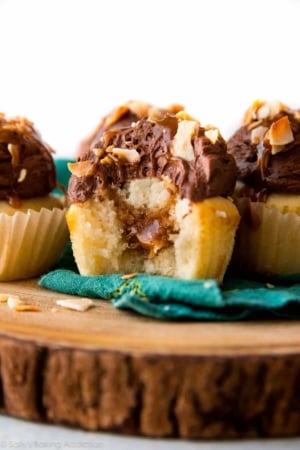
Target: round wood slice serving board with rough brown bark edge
x=106 y=369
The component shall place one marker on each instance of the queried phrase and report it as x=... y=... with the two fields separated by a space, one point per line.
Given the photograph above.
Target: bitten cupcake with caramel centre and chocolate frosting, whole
x=154 y=197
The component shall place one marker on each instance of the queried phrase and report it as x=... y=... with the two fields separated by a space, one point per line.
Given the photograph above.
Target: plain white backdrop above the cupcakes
x=65 y=63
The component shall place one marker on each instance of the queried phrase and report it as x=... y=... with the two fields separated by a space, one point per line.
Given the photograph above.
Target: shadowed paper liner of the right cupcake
x=267 y=241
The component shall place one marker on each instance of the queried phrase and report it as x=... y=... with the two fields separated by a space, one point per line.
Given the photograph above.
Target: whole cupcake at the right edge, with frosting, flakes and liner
x=267 y=151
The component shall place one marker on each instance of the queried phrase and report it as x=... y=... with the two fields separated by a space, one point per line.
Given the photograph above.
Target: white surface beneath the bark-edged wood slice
x=18 y=434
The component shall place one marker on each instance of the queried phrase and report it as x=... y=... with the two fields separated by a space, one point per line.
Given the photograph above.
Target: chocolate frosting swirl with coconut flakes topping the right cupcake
x=267 y=149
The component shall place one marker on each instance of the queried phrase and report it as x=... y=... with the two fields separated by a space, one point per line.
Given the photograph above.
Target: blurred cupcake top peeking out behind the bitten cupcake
x=123 y=116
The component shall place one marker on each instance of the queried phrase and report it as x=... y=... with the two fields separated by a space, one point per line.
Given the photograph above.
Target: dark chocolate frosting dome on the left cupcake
x=26 y=165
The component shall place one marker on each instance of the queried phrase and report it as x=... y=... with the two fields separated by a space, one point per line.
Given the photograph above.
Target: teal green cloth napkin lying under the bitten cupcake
x=174 y=299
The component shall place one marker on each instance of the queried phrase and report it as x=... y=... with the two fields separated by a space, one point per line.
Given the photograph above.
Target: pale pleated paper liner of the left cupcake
x=31 y=243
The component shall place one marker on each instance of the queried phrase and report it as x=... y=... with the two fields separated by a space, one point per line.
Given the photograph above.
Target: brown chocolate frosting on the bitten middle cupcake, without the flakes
x=212 y=171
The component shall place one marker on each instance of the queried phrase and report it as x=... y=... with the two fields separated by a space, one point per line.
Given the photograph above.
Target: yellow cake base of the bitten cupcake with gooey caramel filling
x=146 y=227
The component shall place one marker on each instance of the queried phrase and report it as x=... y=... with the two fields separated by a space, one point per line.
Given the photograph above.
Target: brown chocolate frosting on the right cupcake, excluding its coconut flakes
x=261 y=170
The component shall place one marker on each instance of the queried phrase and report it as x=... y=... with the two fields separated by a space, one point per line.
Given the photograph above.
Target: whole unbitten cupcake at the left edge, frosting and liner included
x=32 y=220
